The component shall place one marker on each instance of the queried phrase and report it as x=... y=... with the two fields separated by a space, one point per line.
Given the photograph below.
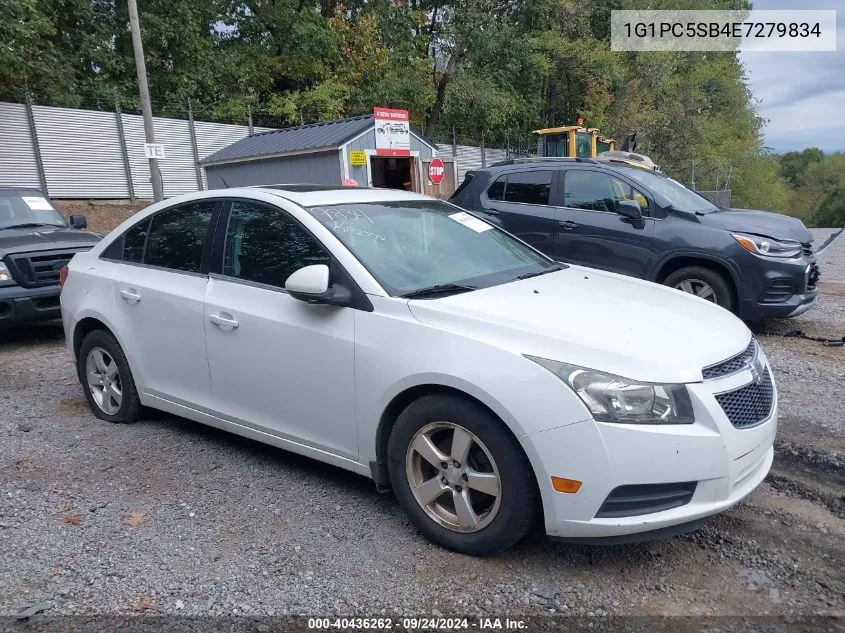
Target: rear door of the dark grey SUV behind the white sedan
x=520 y=202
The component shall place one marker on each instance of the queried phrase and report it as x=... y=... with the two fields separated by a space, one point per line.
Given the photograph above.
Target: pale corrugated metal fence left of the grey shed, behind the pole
x=84 y=154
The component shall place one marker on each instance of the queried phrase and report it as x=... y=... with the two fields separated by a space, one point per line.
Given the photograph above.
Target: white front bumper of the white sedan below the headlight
x=726 y=462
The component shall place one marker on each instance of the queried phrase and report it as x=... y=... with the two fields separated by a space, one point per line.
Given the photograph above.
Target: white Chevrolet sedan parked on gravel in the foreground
x=406 y=340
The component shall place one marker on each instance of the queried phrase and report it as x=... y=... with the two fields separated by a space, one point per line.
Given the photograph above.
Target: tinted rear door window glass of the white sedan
x=177 y=236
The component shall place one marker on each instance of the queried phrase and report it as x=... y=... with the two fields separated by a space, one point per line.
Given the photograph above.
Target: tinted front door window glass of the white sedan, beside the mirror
x=266 y=246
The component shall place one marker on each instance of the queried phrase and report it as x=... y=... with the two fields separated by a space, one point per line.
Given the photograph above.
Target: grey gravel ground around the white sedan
x=168 y=517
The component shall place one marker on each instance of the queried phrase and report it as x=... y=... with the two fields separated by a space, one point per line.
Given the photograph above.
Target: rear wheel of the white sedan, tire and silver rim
x=106 y=378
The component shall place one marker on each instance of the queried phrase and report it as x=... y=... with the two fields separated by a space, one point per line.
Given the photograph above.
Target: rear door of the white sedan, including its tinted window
x=159 y=288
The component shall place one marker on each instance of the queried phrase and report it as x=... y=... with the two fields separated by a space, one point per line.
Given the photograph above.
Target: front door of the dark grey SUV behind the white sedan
x=590 y=232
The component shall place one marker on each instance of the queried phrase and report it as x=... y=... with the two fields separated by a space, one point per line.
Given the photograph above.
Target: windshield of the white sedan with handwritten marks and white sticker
x=409 y=246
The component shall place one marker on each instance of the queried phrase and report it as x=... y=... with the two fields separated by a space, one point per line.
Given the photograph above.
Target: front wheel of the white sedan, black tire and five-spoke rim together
x=460 y=476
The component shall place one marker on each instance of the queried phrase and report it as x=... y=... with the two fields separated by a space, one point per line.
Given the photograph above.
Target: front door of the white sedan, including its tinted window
x=278 y=364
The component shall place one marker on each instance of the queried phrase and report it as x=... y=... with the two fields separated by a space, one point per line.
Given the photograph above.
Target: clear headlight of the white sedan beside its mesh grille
x=614 y=399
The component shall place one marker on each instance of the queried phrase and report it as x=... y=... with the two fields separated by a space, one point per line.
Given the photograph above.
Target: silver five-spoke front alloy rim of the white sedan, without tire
x=453 y=477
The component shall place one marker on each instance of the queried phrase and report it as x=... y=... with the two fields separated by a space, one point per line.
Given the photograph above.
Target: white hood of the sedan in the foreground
x=595 y=319
